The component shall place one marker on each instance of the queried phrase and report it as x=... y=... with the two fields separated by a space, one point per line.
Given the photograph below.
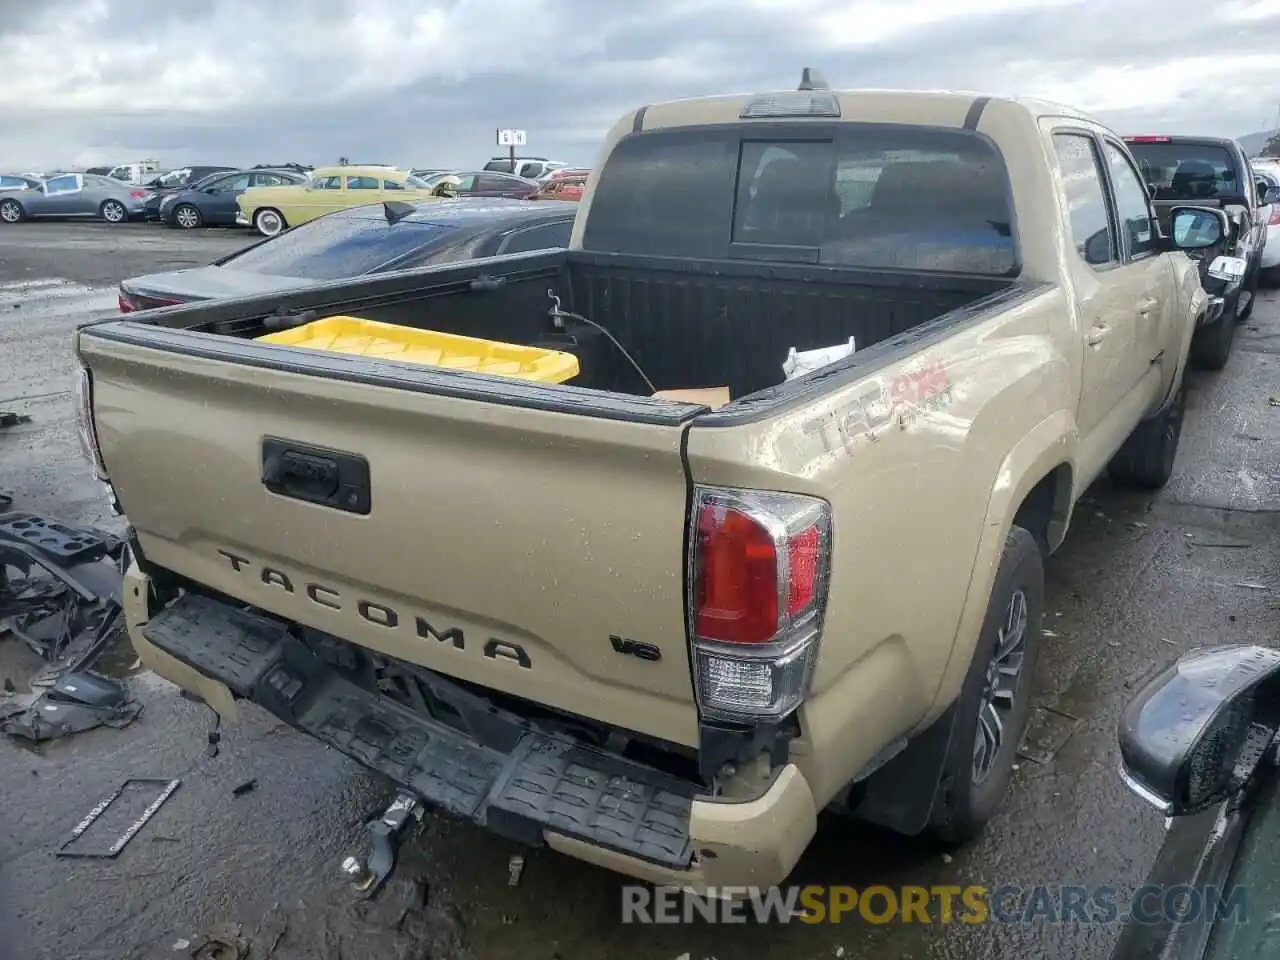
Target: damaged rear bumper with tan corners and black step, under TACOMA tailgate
x=487 y=765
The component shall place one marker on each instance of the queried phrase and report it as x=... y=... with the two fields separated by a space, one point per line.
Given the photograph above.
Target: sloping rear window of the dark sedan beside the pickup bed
x=336 y=248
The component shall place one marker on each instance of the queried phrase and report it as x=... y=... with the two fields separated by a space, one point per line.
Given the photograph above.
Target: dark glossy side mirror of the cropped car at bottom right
x=1197 y=733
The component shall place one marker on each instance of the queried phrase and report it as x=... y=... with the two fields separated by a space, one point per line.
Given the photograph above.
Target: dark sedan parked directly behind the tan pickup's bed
x=360 y=241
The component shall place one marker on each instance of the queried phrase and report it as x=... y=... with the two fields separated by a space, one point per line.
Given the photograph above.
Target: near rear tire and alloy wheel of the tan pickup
x=980 y=762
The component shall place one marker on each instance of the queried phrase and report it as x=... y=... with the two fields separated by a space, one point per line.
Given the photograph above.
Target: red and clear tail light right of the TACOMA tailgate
x=757 y=598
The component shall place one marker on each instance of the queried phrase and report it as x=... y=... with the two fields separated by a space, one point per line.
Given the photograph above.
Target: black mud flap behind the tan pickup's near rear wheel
x=902 y=794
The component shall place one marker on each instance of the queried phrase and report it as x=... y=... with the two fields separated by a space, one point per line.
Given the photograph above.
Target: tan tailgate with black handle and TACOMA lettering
x=504 y=545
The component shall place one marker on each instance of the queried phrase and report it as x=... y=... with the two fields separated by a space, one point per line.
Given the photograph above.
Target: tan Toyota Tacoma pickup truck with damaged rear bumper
x=664 y=633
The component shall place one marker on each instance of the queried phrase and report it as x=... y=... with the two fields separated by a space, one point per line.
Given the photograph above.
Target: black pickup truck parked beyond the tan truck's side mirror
x=1215 y=173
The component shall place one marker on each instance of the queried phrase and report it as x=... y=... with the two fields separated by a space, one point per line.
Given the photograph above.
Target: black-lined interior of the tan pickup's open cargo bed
x=687 y=324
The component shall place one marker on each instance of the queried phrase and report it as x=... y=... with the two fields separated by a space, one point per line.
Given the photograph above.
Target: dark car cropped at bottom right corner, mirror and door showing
x=1199 y=743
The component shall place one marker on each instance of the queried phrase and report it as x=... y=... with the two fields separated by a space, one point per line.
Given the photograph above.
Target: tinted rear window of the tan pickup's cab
x=857 y=195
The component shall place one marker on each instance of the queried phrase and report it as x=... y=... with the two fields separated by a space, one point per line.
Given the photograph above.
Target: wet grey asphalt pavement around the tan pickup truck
x=1139 y=580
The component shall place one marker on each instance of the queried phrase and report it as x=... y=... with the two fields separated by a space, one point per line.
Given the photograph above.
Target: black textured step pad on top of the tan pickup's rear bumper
x=545 y=783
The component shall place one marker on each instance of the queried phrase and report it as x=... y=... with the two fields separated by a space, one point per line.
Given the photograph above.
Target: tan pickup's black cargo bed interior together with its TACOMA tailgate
x=504 y=533
